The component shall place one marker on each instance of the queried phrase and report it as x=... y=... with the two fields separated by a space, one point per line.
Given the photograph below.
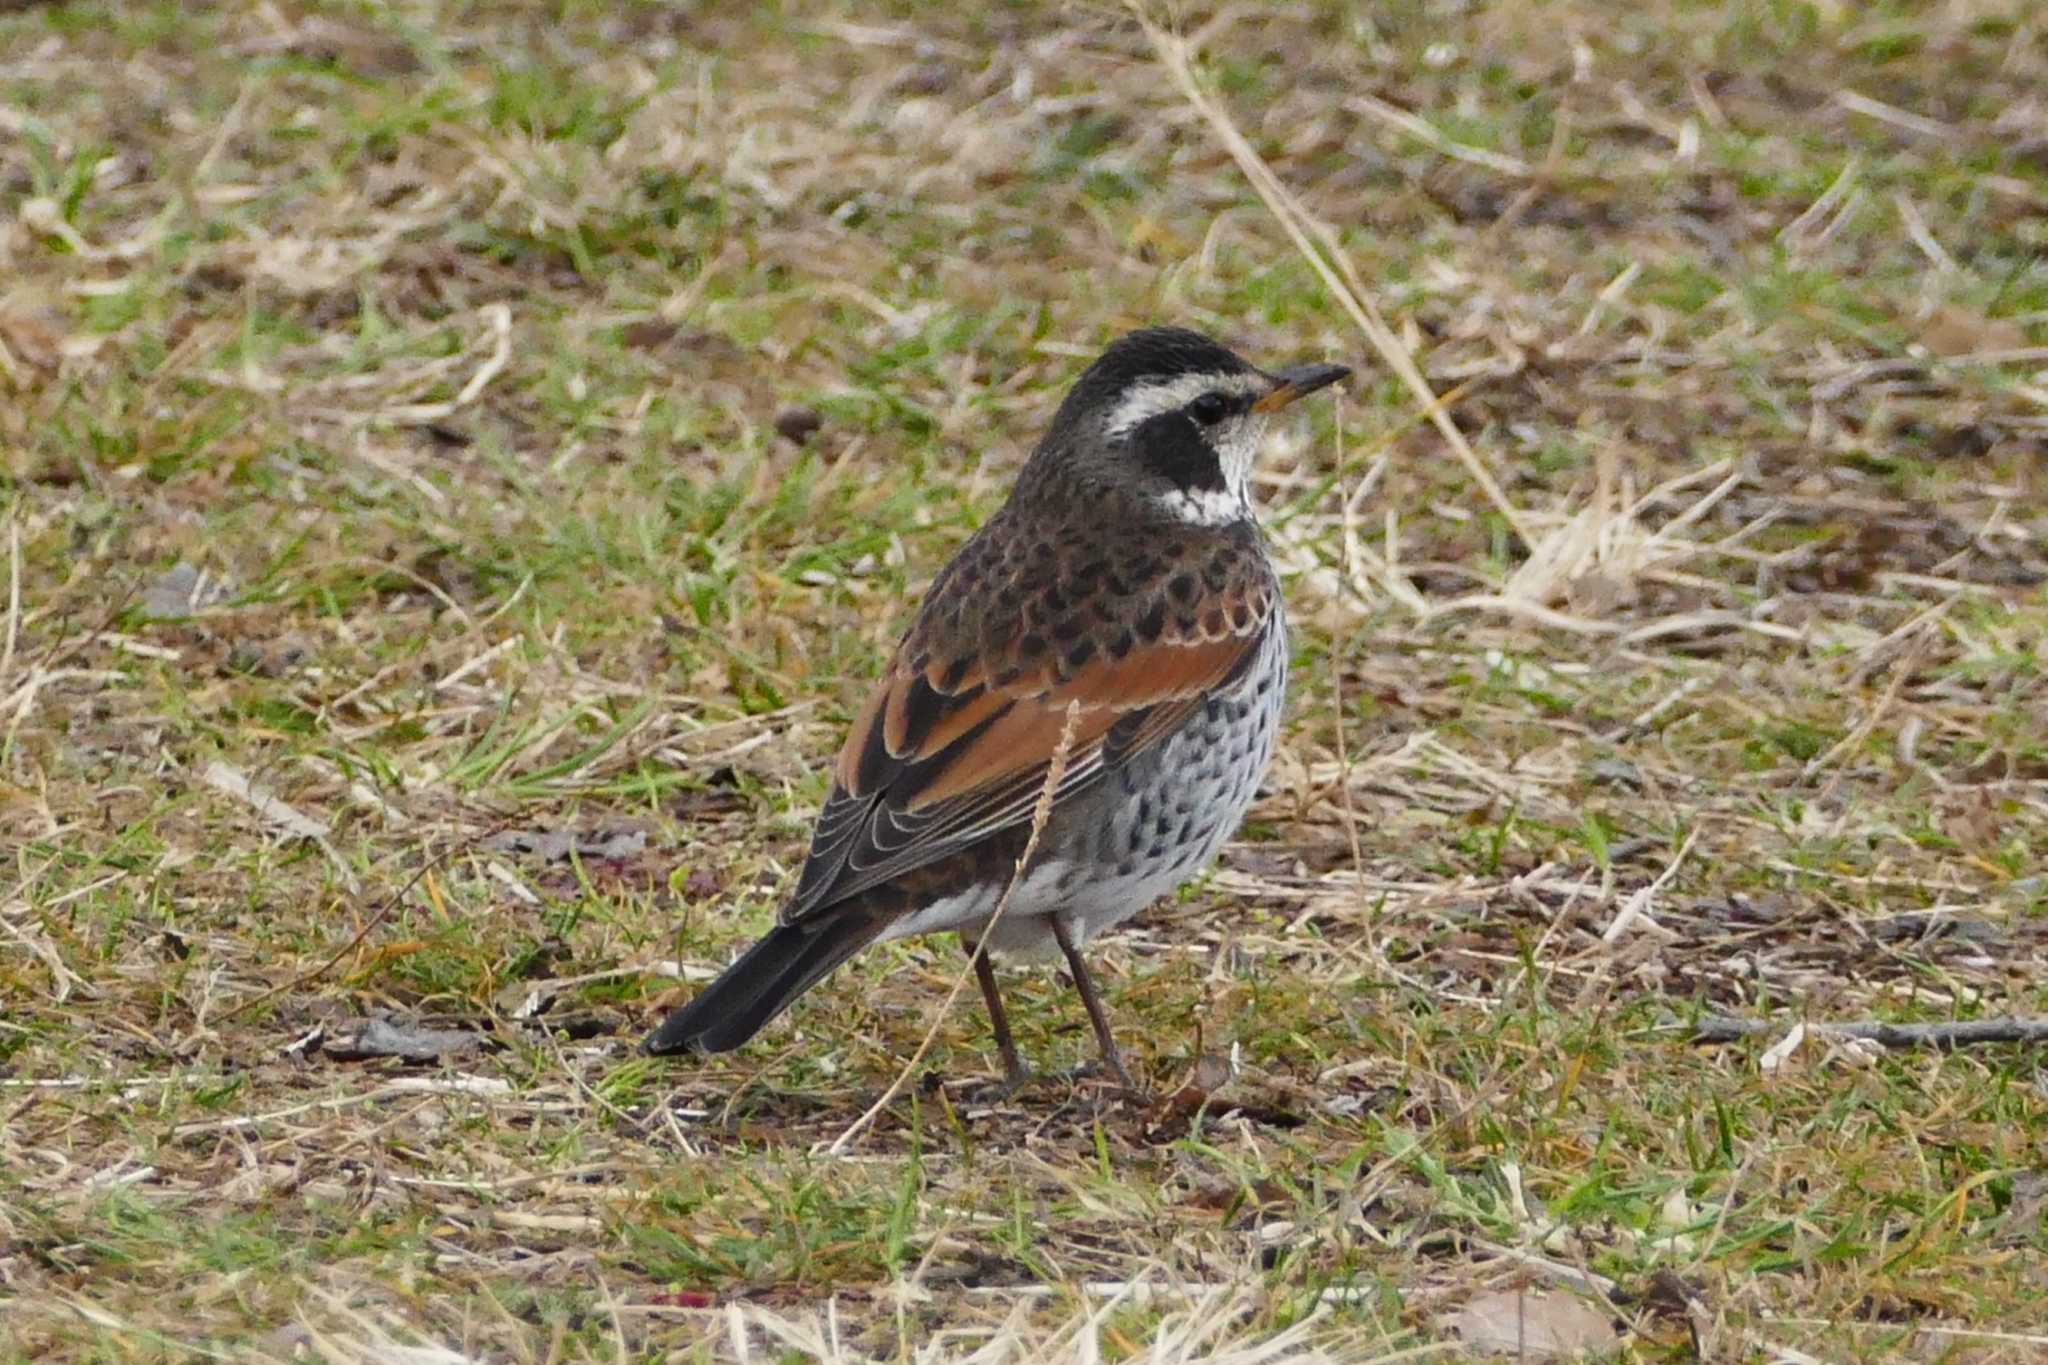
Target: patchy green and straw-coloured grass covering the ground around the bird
x=437 y=423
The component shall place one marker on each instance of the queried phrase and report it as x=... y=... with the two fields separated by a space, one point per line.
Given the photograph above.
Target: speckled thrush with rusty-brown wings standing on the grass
x=1115 y=633
